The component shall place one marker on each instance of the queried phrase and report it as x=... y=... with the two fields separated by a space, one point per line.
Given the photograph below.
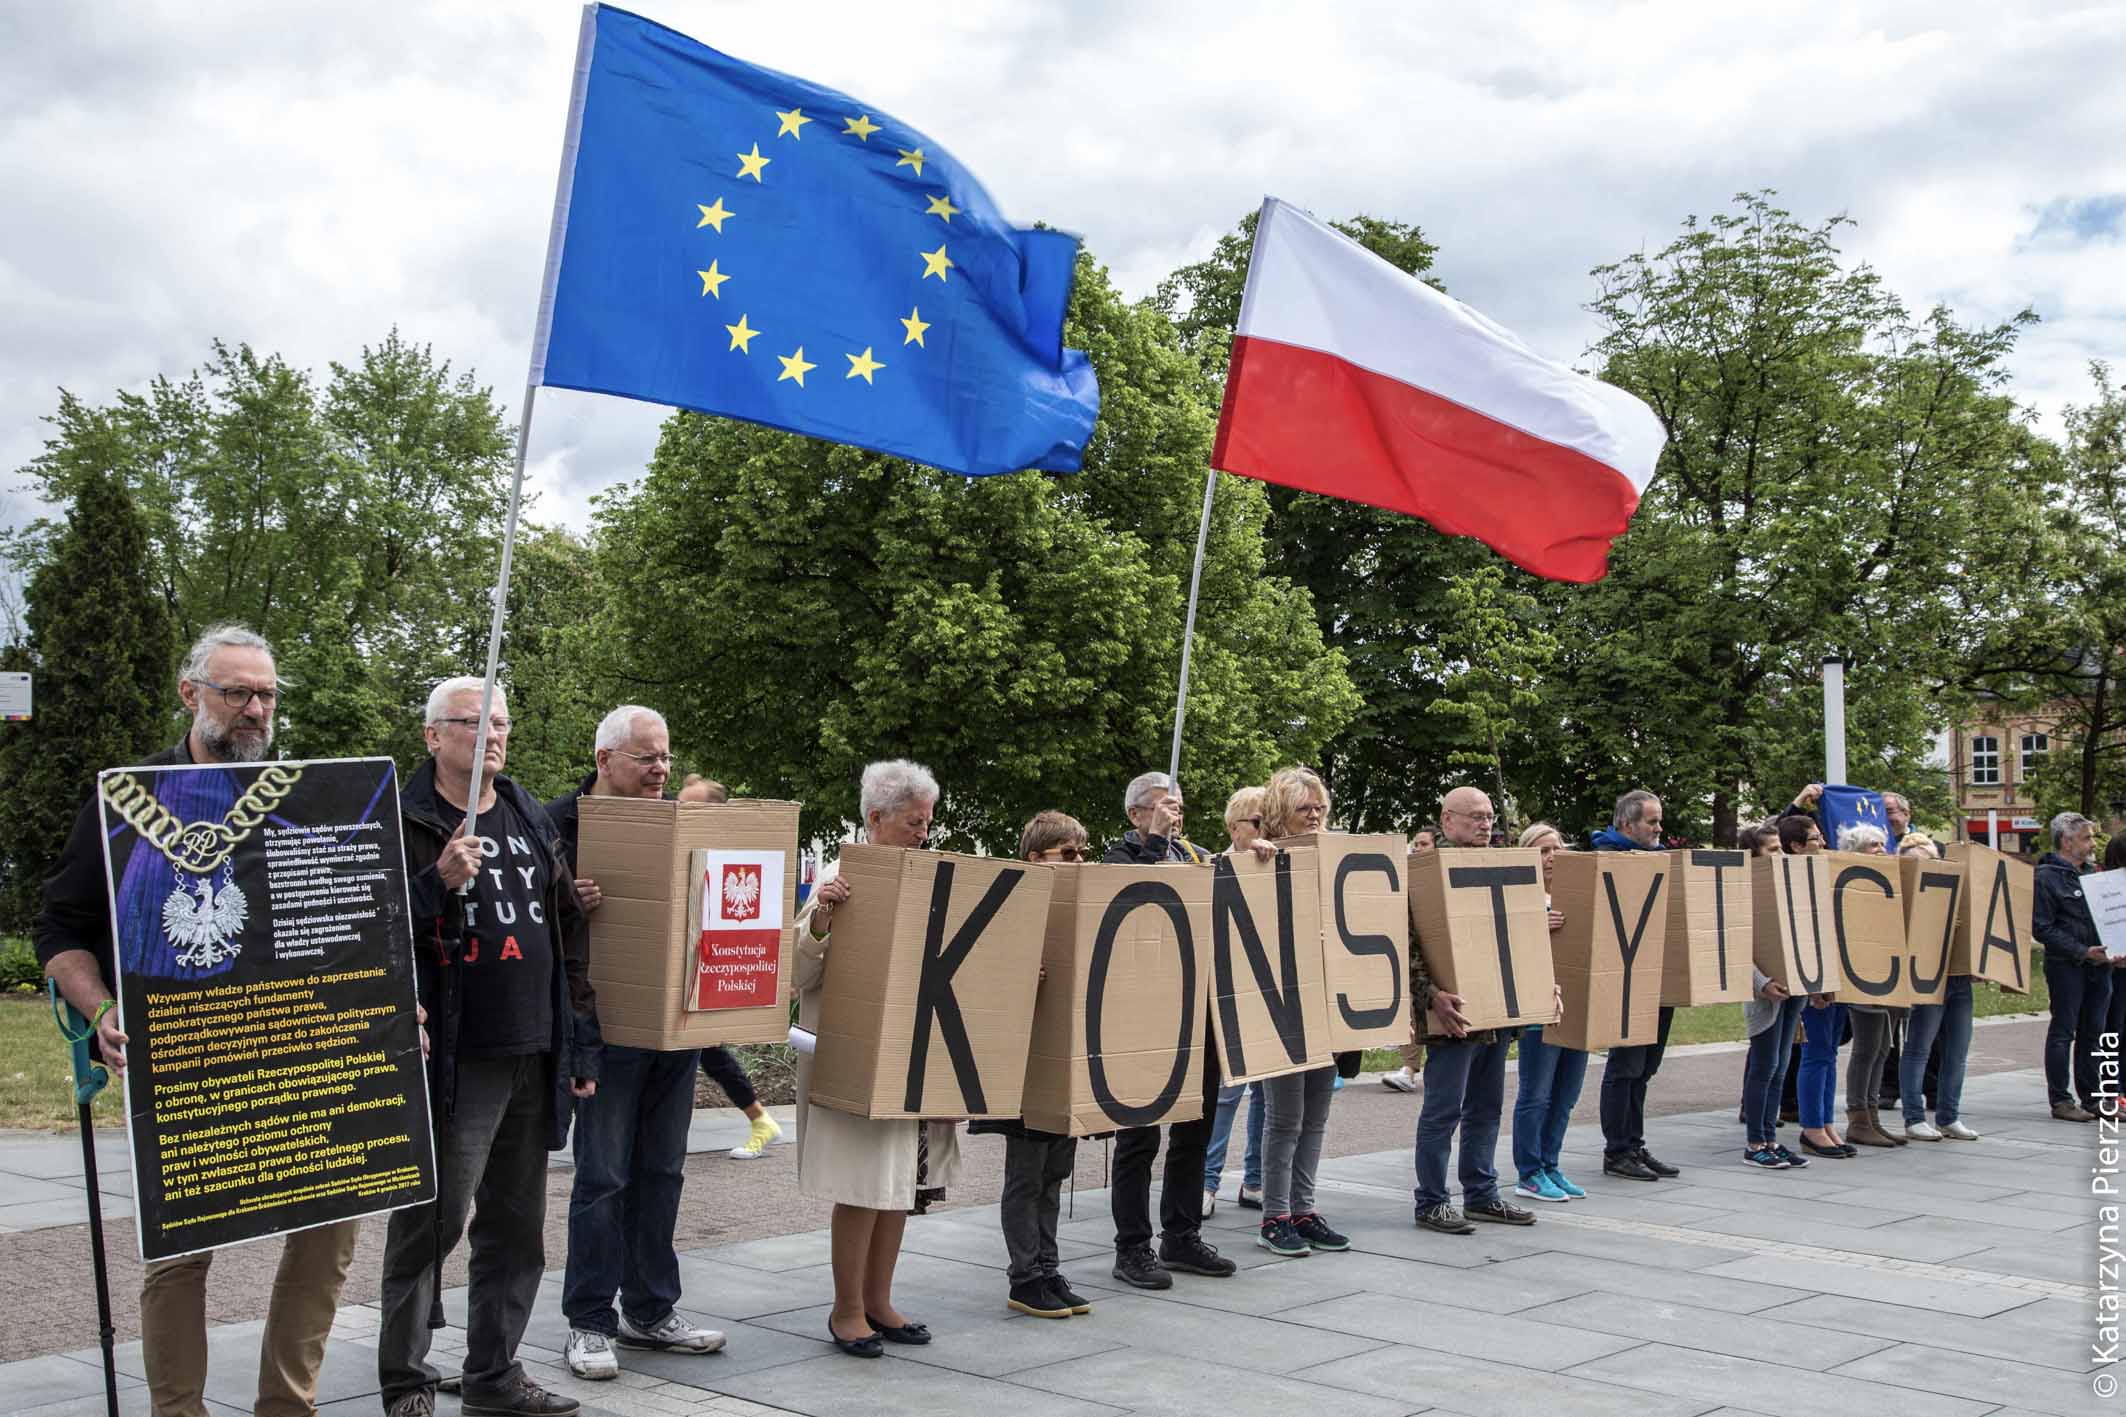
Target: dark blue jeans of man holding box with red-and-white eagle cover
x=630 y=1167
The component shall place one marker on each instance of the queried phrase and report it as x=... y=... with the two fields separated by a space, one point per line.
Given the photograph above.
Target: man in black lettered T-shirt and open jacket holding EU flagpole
x=501 y=961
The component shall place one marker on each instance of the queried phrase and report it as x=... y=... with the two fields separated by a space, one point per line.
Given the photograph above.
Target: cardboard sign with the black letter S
x=1366 y=938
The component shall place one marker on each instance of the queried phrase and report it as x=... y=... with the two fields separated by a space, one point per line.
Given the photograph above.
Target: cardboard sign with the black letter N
x=1268 y=1008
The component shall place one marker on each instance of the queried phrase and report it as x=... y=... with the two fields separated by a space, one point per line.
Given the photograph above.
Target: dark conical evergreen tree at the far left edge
x=103 y=655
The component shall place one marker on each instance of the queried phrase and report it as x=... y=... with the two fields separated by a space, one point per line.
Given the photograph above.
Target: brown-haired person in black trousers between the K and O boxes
x=1036 y=1163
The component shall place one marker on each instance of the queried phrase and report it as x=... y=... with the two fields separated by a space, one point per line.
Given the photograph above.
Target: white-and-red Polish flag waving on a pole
x=1360 y=381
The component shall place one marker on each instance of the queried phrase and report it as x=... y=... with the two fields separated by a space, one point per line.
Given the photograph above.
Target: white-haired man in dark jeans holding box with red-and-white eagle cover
x=632 y=1136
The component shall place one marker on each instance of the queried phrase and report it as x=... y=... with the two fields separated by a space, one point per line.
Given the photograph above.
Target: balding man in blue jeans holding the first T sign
x=1464 y=1074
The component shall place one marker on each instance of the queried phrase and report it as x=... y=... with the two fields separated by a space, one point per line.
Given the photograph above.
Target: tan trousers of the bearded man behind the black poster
x=305 y=1297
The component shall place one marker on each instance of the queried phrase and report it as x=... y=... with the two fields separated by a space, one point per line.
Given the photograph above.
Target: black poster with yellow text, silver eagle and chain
x=265 y=957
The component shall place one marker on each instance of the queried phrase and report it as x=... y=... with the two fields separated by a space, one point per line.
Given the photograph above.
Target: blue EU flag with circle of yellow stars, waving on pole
x=752 y=245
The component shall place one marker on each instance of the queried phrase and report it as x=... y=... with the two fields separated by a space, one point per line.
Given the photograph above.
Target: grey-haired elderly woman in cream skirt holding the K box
x=873 y=1172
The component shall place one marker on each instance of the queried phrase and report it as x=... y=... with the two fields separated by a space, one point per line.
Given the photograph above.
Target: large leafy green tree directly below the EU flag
x=800 y=609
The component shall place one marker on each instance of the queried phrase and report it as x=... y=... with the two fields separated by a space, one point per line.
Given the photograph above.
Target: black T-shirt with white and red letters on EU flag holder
x=509 y=944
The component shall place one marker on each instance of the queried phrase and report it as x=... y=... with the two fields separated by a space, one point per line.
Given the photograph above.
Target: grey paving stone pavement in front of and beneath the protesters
x=1955 y=1280
